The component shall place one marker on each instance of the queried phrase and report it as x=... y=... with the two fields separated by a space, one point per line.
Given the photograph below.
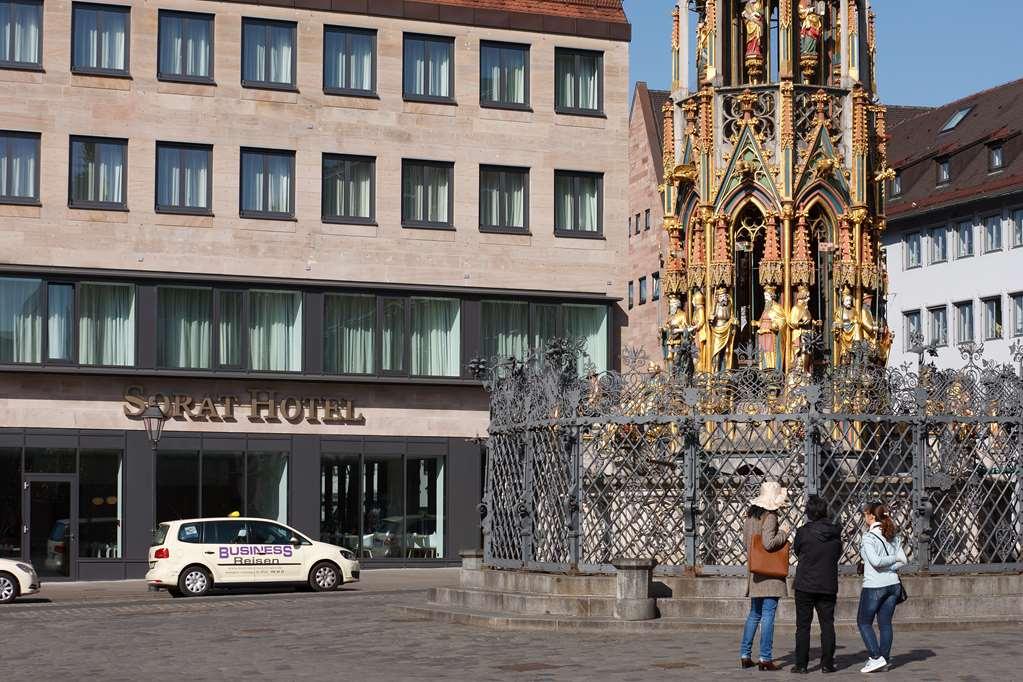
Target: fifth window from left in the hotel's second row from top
x=349 y=189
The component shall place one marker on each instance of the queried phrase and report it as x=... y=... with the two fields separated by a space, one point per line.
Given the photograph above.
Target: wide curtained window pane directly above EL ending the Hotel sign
x=349 y=332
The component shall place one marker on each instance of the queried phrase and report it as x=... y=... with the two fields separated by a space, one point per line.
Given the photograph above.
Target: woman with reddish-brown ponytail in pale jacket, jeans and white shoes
x=883 y=557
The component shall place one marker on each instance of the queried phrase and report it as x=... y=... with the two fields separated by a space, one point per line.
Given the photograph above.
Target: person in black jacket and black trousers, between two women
x=818 y=548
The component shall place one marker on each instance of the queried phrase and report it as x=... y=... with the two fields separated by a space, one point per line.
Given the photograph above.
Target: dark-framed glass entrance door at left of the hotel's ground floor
x=51 y=525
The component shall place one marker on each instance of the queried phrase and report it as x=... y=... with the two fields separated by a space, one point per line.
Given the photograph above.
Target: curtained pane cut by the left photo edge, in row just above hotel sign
x=21 y=321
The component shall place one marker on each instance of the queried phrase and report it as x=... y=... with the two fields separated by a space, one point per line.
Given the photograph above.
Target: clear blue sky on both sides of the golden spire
x=929 y=52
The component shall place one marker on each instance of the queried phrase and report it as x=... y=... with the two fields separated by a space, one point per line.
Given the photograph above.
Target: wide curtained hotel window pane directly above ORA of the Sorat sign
x=185 y=328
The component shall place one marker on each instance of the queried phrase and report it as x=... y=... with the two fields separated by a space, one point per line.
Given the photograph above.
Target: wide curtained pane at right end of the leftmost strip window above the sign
x=107 y=325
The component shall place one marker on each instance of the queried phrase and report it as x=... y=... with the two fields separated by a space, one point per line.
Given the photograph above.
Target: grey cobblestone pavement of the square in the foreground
x=120 y=632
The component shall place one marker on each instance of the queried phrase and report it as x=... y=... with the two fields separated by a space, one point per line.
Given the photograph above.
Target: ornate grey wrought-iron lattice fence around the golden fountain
x=584 y=468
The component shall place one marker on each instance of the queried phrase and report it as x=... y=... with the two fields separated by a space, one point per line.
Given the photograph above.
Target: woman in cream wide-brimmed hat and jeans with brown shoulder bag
x=764 y=592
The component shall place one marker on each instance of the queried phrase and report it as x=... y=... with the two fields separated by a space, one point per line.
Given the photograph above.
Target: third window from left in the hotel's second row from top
x=185 y=178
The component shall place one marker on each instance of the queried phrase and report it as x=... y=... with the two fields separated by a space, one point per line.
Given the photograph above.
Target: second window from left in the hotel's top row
x=100 y=39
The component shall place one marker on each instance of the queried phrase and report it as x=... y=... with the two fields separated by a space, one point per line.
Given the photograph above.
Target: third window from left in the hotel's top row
x=186 y=48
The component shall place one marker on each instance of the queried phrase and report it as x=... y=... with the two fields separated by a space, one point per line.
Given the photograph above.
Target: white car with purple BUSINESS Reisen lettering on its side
x=190 y=558
